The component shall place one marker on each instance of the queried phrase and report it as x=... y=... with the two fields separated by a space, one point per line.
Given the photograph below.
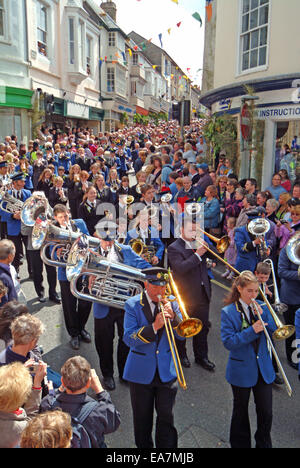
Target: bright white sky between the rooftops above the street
x=149 y=18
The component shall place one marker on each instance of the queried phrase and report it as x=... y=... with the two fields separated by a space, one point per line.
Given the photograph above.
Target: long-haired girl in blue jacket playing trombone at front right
x=250 y=364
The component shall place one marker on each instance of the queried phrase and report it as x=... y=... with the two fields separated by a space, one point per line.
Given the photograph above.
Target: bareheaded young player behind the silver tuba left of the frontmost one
x=76 y=311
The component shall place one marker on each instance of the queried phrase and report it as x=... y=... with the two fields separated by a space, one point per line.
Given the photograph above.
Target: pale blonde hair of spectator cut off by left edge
x=15 y=386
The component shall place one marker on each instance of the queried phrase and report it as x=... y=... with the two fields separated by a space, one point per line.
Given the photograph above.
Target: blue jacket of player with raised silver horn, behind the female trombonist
x=247 y=257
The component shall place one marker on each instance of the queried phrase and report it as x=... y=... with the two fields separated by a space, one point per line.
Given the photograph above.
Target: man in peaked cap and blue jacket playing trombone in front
x=149 y=367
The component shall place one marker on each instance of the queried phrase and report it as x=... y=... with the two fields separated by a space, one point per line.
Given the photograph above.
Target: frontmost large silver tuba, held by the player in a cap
x=110 y=284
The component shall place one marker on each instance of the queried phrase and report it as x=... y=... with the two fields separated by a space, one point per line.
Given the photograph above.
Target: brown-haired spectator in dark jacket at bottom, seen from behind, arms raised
x=101 y=416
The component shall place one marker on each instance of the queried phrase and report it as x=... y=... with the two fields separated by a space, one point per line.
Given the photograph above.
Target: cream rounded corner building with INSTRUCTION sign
x=256 y=49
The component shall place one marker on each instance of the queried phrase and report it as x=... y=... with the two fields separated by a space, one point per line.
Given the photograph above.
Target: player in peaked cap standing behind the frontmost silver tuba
x=106 y=317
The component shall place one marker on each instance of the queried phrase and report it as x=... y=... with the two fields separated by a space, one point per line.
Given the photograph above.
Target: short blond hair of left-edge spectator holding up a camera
x=26 y=328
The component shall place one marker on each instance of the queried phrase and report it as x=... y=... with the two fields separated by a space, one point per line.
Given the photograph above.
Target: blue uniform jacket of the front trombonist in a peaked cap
x=148 y=351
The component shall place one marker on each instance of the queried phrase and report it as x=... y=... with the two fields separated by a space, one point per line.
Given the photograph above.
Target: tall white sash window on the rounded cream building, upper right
x=241 y=35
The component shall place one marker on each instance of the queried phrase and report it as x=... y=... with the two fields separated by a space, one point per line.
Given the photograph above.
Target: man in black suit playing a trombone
x=188 y=264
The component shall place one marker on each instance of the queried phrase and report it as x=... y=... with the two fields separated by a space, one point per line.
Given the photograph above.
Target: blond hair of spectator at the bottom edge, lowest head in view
x=52 y=429
